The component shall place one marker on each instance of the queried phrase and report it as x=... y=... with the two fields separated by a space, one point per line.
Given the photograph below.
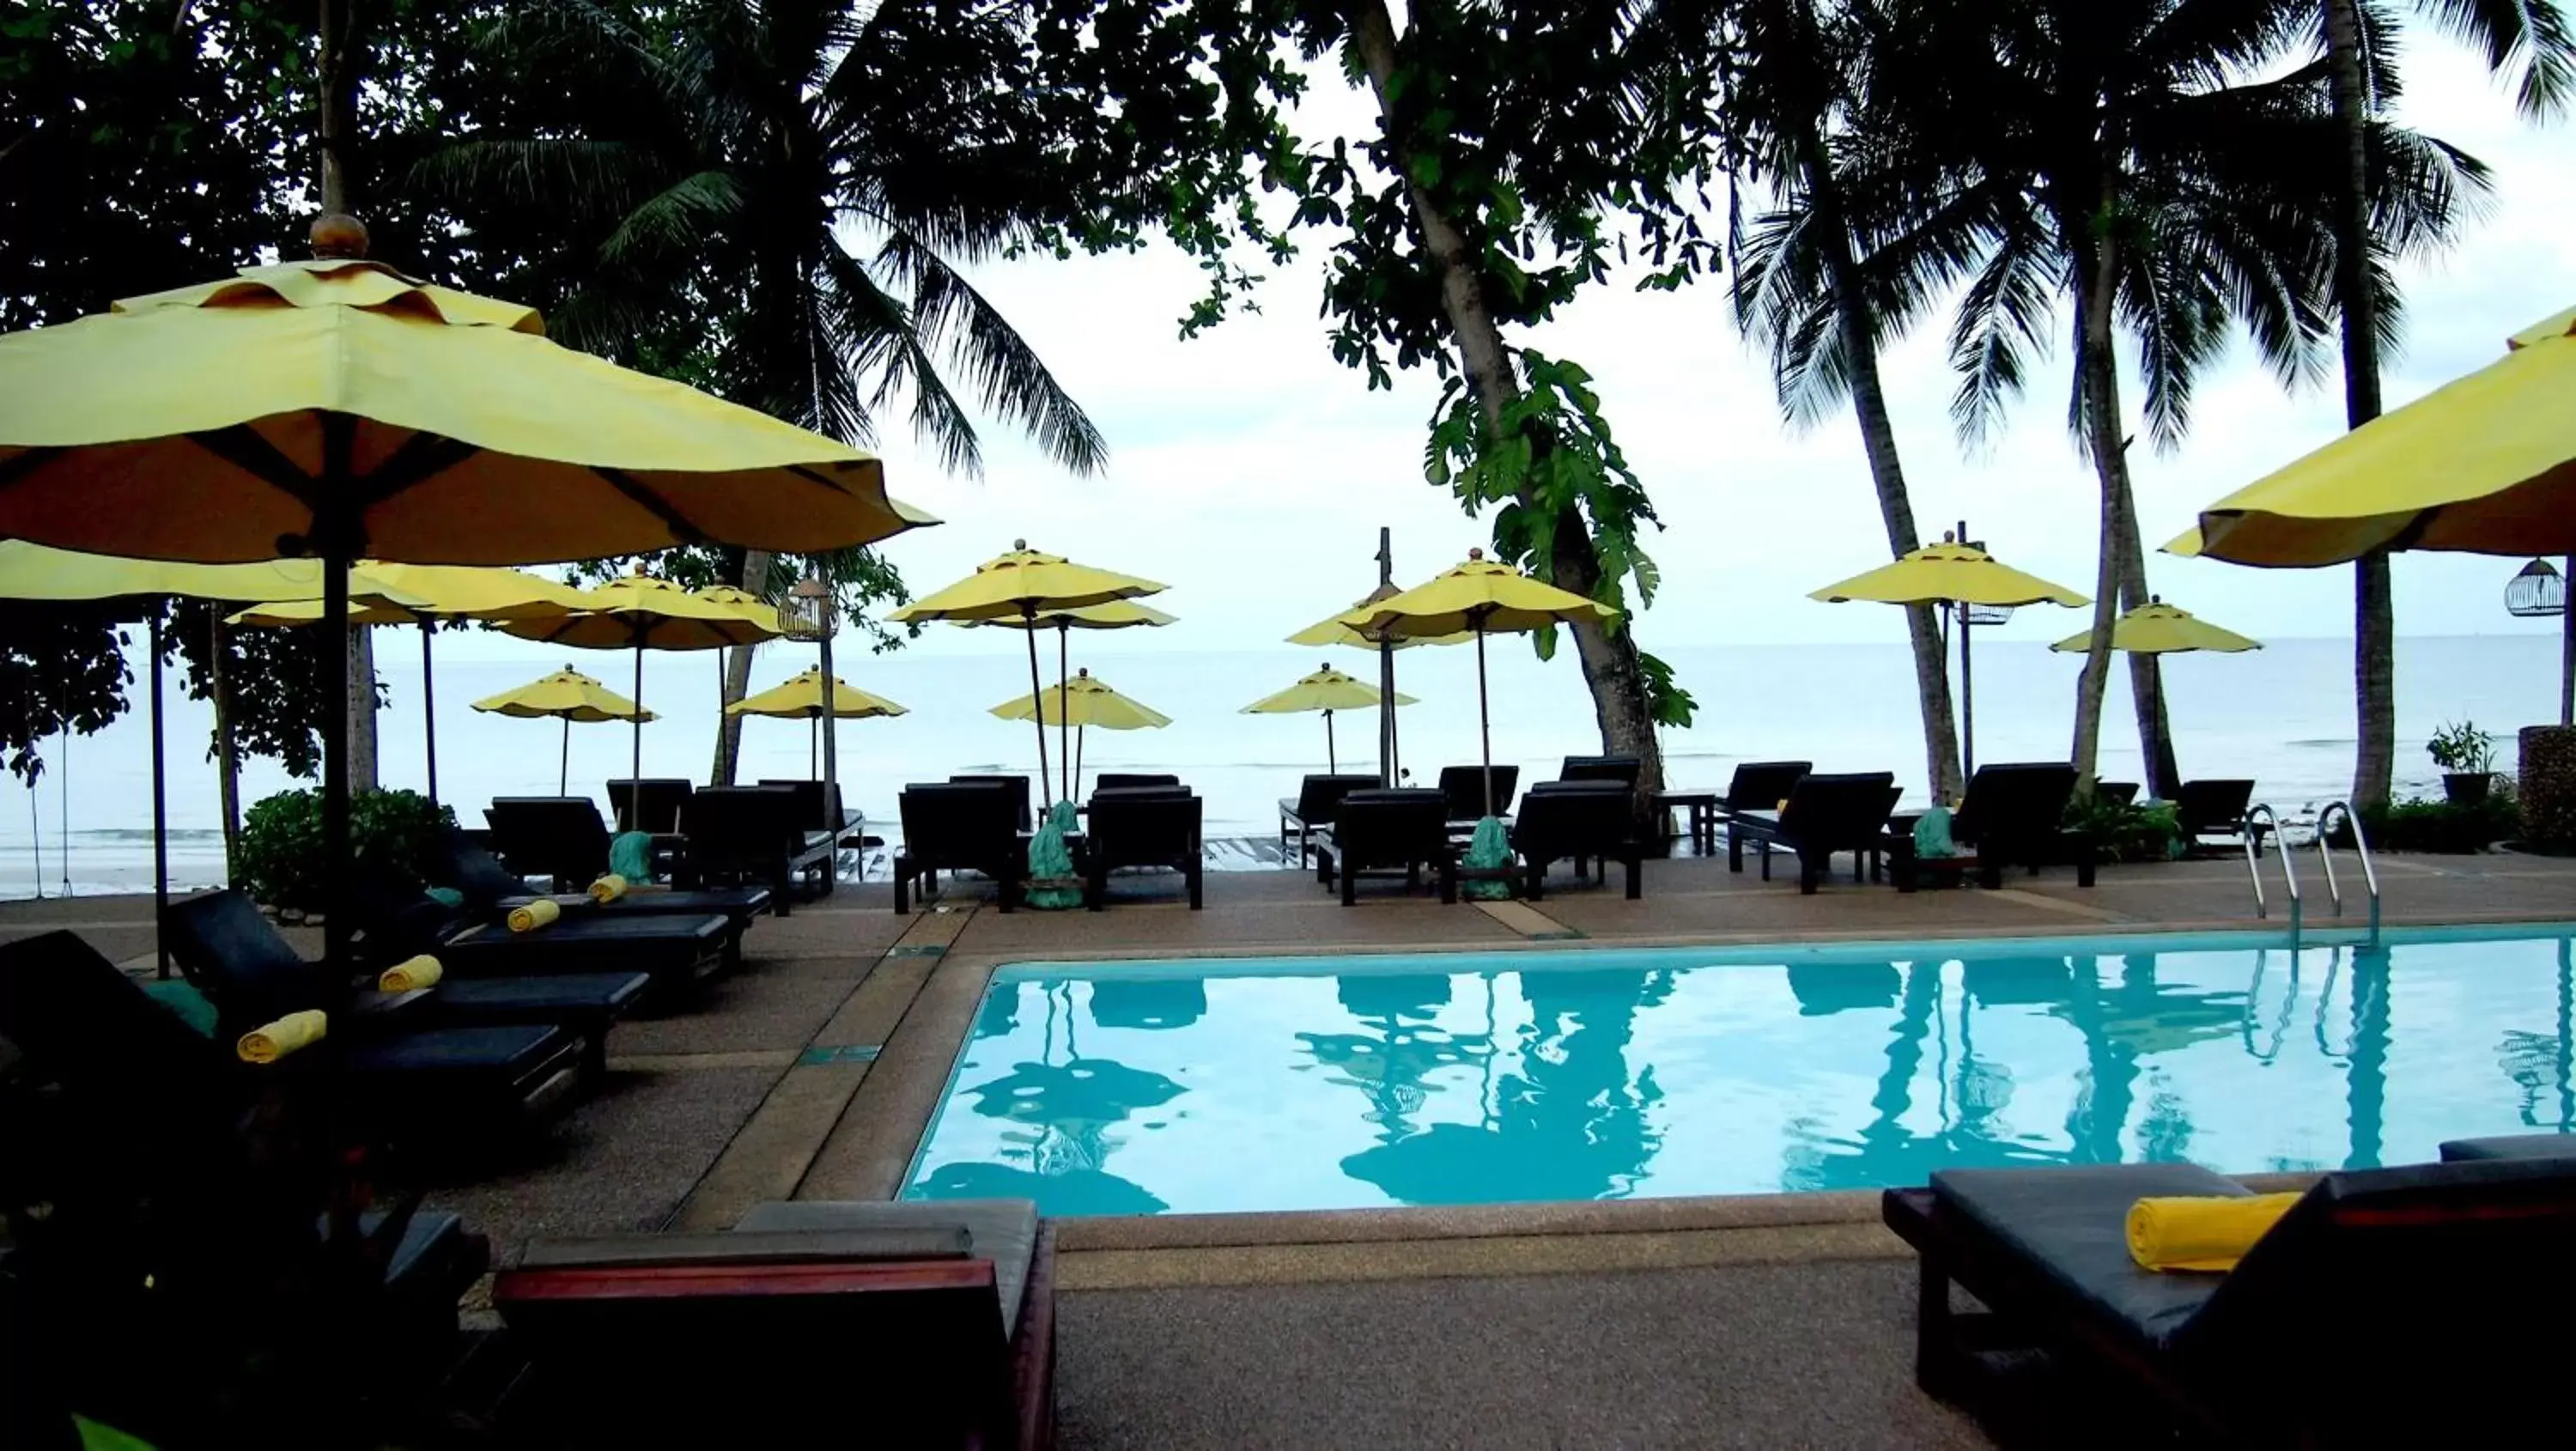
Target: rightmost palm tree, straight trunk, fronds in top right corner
x=2361 y=50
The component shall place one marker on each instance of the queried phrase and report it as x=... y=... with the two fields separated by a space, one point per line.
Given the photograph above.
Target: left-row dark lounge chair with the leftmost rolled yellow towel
x=403 y=1066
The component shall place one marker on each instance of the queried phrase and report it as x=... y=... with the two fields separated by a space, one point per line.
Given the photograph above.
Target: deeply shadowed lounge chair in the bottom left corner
x=161 y=1189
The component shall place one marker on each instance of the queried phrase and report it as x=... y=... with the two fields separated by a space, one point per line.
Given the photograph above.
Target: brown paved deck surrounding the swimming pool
x=1761 y=1321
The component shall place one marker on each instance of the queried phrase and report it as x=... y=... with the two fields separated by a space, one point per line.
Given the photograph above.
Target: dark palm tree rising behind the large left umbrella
x=795 y=182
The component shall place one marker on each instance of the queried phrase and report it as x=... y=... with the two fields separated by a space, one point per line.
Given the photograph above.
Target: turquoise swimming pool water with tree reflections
x=1475 y=1079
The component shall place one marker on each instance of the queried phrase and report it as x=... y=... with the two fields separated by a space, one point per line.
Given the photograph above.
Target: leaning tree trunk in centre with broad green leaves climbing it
x=1611 y=661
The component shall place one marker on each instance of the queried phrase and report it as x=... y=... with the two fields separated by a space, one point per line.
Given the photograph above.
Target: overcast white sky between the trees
x=1253 y=473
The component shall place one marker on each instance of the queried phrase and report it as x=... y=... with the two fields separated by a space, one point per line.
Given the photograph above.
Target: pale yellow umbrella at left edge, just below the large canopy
x=43 y=573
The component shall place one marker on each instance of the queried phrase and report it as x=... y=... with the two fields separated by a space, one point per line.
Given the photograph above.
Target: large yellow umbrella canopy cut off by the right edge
x=2485 y=465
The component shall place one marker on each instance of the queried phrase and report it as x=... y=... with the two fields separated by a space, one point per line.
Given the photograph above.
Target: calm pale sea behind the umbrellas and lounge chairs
x=2281 y=715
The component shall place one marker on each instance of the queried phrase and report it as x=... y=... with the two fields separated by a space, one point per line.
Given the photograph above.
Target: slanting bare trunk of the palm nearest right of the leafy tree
x=1887 y=470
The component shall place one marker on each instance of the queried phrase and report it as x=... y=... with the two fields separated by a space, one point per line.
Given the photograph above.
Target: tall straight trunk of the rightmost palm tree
x=2374 y=604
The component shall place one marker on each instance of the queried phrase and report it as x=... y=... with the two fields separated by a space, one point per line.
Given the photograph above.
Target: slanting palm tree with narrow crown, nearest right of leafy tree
x=1802 y=290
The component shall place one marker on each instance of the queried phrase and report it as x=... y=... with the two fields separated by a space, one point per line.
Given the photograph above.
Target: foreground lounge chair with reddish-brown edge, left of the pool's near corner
x=805 y=1326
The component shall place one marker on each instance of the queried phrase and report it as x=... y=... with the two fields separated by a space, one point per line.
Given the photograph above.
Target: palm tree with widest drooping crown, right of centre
x=2114 y=153
